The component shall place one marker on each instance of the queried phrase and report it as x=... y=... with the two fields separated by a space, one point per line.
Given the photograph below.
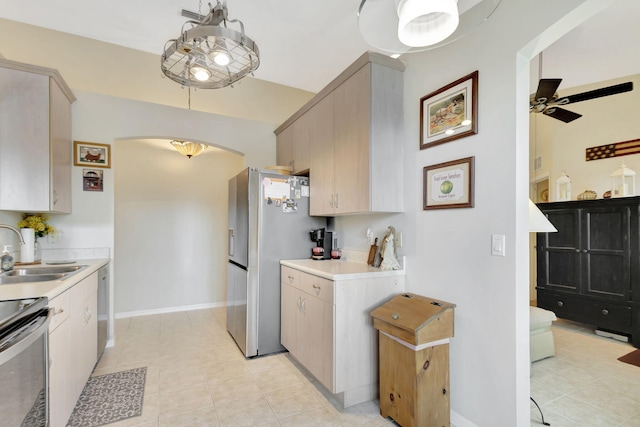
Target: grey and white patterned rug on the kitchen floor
x=110 y=398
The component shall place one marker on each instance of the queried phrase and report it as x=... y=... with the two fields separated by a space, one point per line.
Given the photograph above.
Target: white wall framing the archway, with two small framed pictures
x=105 y=119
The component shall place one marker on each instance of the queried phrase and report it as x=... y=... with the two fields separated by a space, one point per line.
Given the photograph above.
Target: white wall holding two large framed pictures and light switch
x=448 y=251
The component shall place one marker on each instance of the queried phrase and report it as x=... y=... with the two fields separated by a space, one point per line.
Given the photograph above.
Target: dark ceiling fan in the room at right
x=546 y=99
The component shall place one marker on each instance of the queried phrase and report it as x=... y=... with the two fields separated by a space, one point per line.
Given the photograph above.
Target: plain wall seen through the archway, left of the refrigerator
x=170 y=226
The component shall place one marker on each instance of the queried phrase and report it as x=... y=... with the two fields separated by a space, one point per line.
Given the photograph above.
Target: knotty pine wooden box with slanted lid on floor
x=414 y=336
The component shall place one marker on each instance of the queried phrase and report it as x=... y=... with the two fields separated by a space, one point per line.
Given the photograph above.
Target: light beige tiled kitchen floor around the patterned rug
x=196 y=376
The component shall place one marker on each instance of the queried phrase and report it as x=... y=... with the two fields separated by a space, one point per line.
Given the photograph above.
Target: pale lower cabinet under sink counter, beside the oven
x=73 y=342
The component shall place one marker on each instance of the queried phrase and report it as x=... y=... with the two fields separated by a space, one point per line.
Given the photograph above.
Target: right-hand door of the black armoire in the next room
x=606 y=252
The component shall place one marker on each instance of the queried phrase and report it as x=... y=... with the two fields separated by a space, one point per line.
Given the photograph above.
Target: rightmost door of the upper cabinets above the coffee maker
x=351 y=146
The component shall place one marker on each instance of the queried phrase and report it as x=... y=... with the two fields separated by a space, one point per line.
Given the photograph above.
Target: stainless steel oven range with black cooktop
x=24 y=380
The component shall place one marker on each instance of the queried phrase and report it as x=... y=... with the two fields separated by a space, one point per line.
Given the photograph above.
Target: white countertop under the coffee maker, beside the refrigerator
x=338 y=269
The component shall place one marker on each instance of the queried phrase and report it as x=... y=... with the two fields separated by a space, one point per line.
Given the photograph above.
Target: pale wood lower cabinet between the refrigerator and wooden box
x=326 y=326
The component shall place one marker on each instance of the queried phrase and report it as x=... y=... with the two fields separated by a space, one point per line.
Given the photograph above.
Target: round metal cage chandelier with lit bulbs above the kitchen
x=208 y=55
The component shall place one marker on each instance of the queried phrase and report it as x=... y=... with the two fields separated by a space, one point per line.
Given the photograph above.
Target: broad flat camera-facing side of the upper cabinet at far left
x=24 y=141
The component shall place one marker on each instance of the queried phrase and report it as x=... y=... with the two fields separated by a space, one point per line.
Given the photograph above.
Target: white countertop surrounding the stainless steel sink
x=52 y=288
